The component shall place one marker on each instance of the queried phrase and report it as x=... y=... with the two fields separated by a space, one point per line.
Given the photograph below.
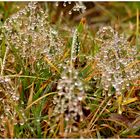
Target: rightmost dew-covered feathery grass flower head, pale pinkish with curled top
x=117 y=61
